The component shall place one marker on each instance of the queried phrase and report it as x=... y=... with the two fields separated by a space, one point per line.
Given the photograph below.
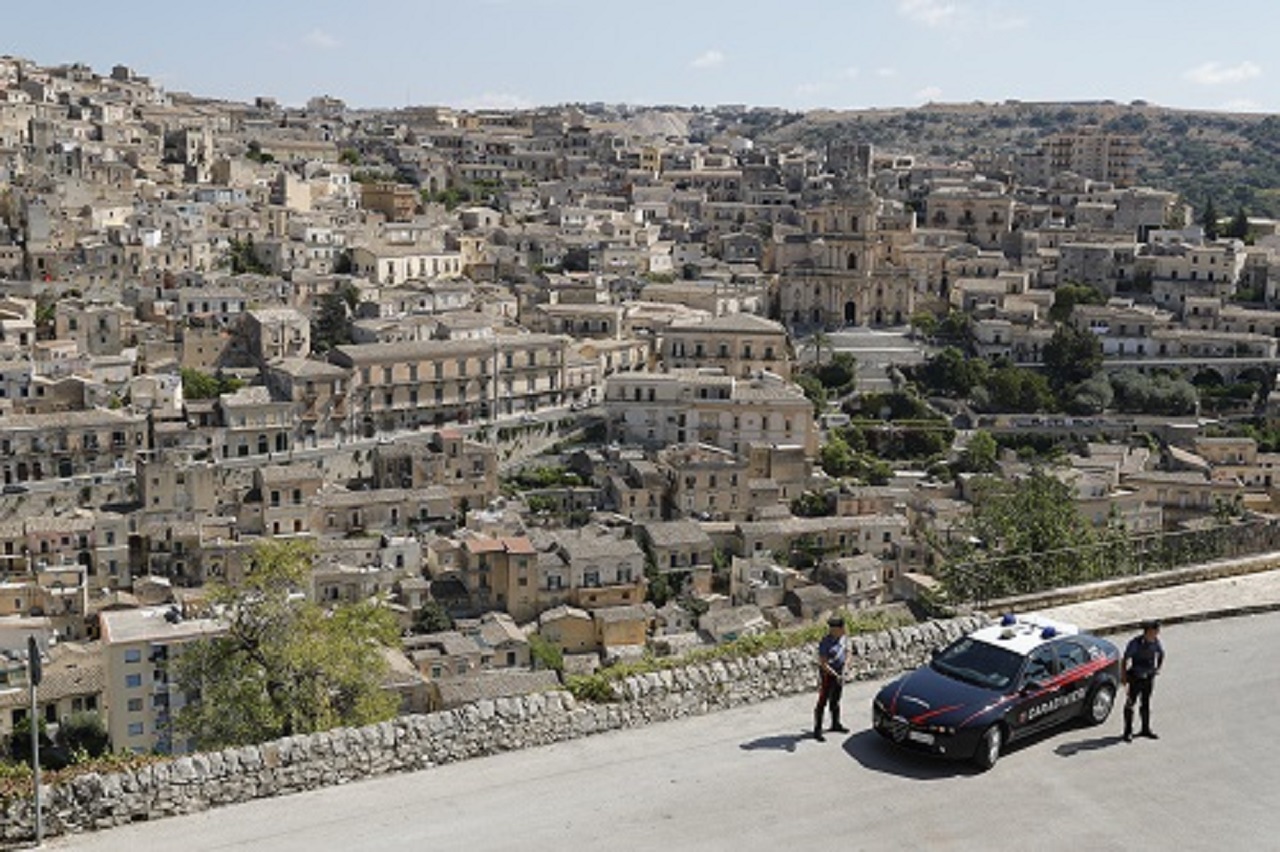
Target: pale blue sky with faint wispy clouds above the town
x=794 y=54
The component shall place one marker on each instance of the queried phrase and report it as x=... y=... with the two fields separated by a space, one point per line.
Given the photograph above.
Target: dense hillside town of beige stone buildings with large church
x=606 y=379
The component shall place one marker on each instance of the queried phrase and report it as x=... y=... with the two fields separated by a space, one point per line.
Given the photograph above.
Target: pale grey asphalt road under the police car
x=748 y=780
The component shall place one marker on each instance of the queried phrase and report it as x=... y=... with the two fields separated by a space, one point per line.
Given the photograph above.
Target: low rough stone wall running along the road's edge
x=200 y=782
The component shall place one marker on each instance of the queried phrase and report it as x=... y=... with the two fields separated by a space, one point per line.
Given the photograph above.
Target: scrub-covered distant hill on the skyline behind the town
x=1232 y=158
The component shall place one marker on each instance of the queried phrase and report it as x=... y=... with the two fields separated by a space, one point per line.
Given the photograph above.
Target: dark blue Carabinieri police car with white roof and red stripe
x=998 y=685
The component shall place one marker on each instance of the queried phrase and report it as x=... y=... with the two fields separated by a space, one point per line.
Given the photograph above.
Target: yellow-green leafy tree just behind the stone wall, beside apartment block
x=285 y=666
